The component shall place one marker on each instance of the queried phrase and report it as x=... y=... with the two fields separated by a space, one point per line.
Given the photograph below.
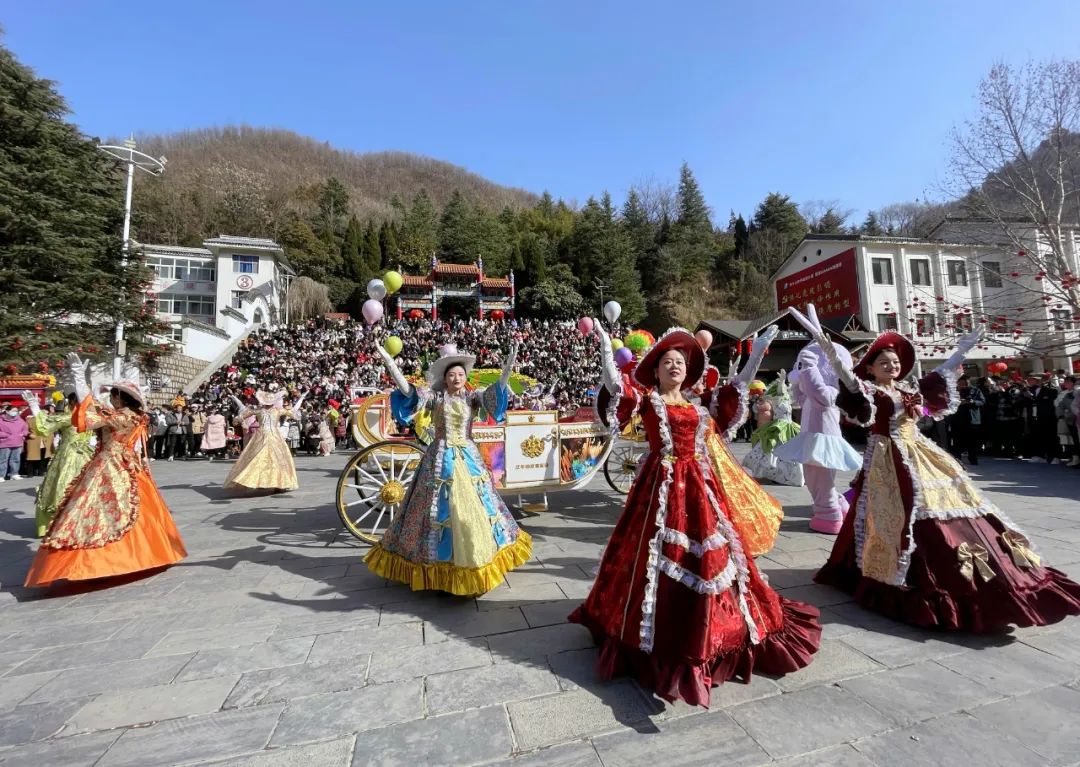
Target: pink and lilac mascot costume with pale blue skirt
x=819 y=446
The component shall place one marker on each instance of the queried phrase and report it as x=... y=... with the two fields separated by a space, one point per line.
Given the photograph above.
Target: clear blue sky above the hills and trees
x=847 y=101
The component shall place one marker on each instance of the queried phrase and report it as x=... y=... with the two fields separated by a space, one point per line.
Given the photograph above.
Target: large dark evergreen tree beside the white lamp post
x=61 y=222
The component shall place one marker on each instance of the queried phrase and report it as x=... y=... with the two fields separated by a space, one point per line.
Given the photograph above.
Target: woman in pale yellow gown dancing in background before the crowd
x=266 y=463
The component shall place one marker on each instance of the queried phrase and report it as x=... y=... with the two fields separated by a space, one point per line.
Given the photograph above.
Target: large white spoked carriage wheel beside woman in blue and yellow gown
x=373 y=487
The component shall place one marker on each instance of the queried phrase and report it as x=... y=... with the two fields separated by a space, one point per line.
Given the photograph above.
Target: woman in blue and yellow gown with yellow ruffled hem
x=455 y=533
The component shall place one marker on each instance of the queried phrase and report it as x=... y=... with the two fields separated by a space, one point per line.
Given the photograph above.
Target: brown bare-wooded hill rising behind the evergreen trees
x=242 y=180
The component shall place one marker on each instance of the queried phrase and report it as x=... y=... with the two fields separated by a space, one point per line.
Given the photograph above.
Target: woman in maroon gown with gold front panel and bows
x=923 y=545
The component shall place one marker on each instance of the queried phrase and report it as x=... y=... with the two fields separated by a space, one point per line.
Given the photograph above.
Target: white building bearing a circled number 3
x=213 y=297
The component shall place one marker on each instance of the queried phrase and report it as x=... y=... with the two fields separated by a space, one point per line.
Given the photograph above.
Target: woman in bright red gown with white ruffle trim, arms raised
x=678 y=602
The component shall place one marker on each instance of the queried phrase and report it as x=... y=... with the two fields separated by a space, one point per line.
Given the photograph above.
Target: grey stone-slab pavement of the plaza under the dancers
x=273 y=645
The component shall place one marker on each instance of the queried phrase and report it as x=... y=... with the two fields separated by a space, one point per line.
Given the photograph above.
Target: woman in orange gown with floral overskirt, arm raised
x=113 y=520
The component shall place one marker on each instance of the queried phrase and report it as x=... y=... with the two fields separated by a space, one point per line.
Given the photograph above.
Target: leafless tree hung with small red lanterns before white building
x=1017 y=167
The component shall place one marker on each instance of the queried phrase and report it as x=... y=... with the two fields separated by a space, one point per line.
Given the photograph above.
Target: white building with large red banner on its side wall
x=935 y=290
